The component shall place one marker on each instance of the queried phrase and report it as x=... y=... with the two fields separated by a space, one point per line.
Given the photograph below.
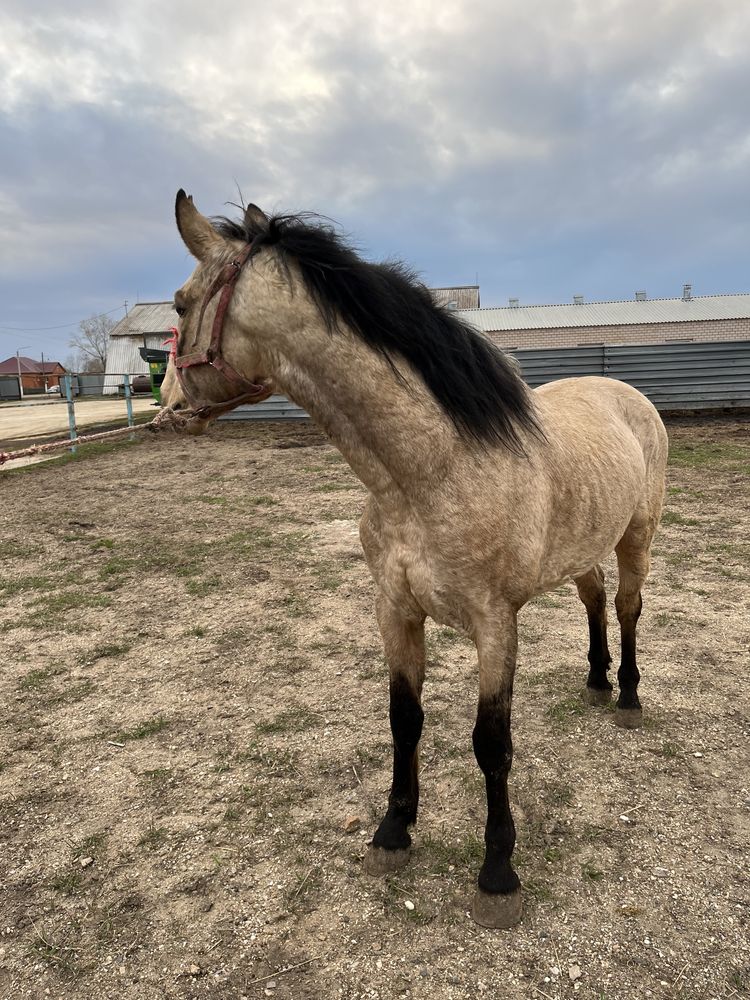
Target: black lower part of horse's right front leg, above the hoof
x=493 y=749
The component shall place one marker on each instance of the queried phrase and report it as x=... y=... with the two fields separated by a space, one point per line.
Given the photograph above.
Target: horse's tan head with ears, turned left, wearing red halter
x=220 y=361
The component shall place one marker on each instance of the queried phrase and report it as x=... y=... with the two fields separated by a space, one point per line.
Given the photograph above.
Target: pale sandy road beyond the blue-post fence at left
x=31 y=422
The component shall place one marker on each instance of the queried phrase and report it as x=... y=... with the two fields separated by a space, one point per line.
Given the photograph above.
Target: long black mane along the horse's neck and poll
x=389 y=308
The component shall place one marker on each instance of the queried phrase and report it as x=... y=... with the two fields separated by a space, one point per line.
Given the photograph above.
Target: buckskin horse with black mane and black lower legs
x=482 y=493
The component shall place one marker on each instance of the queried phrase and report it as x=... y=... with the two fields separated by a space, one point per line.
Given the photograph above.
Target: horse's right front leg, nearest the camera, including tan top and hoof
x=497 y=902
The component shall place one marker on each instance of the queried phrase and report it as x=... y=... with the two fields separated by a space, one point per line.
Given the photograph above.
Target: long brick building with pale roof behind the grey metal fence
x=640 y=320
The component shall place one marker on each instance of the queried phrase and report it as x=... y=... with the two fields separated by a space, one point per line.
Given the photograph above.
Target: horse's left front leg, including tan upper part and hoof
x=403 y=639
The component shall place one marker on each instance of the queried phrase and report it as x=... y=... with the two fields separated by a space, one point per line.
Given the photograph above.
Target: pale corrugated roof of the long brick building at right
x=701 y=307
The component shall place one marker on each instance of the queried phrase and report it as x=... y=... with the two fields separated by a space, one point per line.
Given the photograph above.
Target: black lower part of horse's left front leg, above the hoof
x=406 y=725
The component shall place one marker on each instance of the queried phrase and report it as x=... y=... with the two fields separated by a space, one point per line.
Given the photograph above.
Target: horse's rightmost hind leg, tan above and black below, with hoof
x=633 y=560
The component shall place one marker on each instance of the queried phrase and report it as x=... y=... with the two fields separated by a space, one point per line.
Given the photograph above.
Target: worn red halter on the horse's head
x=251 y=392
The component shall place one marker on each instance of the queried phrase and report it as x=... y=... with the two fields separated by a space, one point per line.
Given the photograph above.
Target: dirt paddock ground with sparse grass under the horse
x=194 y=746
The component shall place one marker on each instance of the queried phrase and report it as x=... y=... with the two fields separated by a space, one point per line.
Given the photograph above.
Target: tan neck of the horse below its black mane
x=395 y=437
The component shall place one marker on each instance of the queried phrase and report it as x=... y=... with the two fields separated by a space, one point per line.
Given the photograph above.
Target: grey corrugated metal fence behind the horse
x=685 y=376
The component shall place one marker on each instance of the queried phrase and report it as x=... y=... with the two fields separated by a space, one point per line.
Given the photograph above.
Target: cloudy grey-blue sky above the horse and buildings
x=543 y=149
